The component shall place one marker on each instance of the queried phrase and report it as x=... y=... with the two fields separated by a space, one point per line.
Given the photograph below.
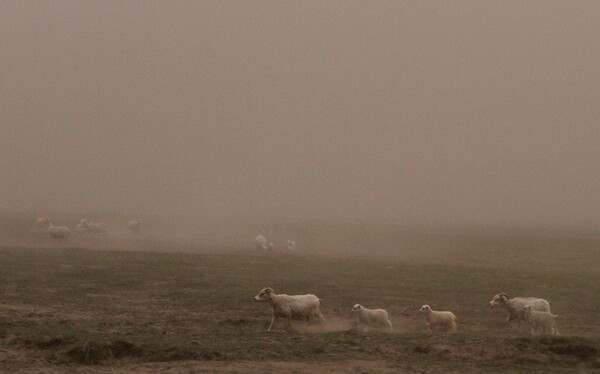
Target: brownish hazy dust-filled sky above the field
x=438 y=111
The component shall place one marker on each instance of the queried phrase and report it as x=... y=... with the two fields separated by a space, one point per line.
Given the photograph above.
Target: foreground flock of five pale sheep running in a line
x=534 y=311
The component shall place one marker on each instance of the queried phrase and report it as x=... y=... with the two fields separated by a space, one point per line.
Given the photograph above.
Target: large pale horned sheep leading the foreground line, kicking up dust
x=291 y=307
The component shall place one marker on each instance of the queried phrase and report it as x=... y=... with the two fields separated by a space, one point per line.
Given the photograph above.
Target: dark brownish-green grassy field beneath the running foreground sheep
x=120 y=308
